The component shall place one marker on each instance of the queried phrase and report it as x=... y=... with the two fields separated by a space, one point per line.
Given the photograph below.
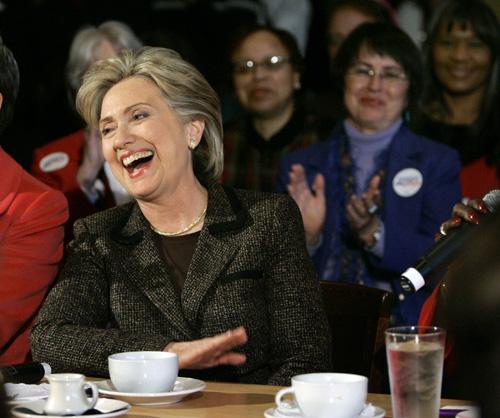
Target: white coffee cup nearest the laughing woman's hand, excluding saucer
x=143 y=371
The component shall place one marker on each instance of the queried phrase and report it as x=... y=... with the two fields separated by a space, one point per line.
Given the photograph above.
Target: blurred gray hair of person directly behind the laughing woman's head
x=87 y=39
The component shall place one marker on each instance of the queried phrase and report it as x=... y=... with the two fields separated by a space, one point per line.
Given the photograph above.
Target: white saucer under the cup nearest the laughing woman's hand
x=184 y=386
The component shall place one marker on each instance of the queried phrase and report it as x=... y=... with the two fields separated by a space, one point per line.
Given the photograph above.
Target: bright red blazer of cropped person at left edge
x=32 y=217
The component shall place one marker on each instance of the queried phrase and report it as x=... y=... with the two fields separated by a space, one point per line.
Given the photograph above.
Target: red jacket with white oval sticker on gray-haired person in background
x=56 y=164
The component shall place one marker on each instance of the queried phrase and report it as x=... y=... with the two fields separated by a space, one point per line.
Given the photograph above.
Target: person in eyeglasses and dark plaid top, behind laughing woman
x=266 y=67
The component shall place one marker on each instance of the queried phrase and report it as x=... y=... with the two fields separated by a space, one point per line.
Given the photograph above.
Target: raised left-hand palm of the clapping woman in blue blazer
x=312 y=203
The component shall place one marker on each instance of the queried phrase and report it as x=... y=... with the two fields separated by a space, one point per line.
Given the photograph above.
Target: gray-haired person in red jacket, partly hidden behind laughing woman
x=74 y=164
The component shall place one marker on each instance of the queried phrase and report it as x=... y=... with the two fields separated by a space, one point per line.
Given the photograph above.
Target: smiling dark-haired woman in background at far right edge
x=462 y=96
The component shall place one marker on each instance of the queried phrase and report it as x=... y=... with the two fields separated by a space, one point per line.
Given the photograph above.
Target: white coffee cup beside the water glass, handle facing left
x=327 y=395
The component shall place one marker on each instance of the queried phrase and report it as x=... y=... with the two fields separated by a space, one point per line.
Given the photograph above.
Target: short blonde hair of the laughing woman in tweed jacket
x=186 y=91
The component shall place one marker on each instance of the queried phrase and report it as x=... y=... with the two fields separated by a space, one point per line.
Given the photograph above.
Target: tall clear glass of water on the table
x=415 y=357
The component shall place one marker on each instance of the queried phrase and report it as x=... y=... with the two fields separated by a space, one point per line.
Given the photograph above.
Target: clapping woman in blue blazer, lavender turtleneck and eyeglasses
x=374 y=194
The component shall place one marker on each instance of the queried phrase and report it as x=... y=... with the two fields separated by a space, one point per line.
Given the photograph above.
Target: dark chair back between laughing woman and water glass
x=358 y=316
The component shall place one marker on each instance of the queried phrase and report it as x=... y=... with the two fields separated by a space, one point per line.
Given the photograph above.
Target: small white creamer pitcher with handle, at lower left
x=67 y=394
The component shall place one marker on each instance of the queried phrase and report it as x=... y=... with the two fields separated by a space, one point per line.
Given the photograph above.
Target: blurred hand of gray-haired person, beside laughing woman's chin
x=92 y=160
